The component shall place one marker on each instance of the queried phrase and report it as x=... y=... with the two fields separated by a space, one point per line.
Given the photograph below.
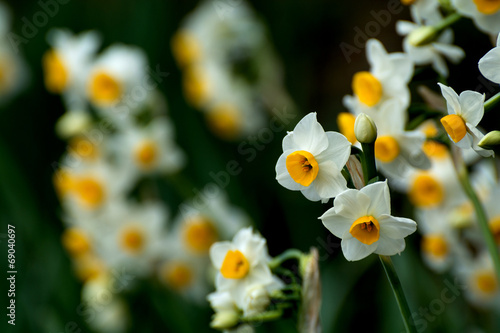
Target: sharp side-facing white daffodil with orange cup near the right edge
x=464 y=114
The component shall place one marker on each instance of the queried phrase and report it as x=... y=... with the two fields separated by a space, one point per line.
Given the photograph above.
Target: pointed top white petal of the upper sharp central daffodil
x=309 y=135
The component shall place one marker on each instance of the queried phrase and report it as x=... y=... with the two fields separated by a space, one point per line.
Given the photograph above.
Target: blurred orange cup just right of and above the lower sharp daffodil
x=425 y=191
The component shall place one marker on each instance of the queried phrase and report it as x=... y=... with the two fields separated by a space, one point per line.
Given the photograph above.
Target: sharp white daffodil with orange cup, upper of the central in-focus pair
x=312 y=160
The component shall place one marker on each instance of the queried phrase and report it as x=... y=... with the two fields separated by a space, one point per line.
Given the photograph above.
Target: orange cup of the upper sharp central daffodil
x=302 y=167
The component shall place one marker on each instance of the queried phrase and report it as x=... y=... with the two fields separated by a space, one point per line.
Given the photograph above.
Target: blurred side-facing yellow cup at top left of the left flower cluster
x=56 y=74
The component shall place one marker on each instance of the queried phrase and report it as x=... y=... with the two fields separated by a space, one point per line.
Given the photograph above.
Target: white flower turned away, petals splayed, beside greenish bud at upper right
x=432 y=53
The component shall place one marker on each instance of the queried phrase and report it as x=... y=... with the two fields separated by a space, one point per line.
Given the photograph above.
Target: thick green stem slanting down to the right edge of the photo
x=481 y=217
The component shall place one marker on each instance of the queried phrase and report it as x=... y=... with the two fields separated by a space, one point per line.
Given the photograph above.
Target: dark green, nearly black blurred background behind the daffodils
x=306 y=37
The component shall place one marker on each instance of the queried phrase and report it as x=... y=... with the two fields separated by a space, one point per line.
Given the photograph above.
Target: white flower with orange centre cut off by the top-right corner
x=484 y=13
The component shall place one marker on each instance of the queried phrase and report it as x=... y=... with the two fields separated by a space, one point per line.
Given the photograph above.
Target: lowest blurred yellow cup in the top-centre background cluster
x=225 y=120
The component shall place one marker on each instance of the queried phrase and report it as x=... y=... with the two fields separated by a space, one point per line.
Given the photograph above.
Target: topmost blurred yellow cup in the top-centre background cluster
x=196 y=86
